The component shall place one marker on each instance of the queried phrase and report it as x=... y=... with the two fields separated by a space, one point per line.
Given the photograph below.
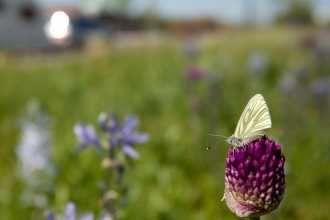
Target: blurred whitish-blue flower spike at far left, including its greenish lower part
x=36 y=169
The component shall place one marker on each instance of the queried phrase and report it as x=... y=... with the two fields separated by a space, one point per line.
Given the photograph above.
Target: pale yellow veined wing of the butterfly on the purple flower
x=255 y=120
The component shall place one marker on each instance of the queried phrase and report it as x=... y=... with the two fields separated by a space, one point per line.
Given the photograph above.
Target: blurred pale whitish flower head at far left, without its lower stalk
x=33 y=149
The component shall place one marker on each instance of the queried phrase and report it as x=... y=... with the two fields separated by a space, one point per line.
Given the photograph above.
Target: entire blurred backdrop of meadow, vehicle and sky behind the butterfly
x=186 y=69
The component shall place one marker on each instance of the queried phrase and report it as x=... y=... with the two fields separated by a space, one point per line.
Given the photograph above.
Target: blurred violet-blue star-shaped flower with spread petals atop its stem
x=125 y=135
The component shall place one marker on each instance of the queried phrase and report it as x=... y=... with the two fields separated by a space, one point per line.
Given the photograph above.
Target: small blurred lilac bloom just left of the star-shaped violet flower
x=86 y=135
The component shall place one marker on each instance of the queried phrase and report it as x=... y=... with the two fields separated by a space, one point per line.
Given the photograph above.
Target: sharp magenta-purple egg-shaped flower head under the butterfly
x=255 y=179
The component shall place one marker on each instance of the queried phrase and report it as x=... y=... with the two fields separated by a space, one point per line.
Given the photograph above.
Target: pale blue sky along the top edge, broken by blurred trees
x=230 y=11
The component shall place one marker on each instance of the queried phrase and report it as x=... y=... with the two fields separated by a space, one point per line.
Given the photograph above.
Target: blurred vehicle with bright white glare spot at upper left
x=25 y=25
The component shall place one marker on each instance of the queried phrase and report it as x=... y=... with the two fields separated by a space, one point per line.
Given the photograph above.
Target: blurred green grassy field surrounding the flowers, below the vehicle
x=176 y=177
